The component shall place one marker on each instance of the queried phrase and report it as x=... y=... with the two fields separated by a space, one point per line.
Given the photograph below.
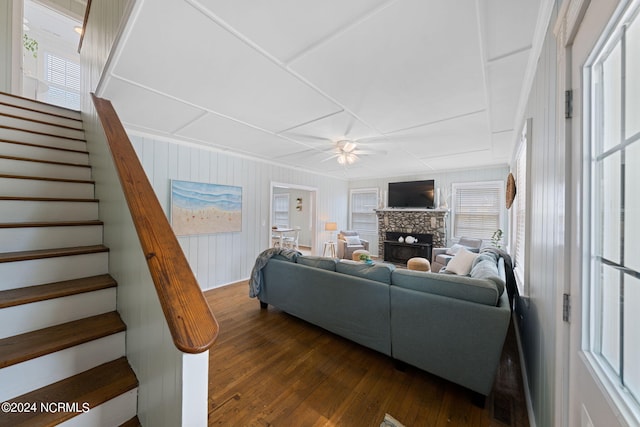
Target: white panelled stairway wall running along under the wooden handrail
x=162 y=371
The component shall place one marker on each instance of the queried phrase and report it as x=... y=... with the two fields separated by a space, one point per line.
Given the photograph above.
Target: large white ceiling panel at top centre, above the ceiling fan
x=413 y=62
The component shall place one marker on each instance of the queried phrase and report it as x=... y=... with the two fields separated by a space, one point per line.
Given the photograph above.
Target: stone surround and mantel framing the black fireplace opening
x=412 y=221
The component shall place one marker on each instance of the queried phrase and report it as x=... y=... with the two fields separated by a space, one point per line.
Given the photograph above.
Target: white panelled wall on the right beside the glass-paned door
x=538 y=311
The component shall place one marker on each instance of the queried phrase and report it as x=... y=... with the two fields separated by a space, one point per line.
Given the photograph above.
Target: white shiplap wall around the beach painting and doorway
x=219 y=259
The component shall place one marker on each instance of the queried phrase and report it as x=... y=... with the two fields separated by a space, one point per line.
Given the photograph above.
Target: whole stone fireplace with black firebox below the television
x=427 y=225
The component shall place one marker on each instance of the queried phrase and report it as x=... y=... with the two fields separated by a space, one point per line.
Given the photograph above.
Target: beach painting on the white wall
x=201 y=208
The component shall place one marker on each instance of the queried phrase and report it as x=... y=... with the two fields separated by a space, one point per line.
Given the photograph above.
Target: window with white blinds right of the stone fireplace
x=477 y=209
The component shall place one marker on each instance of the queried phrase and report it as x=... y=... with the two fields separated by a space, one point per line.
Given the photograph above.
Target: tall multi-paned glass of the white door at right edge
x=613 y=226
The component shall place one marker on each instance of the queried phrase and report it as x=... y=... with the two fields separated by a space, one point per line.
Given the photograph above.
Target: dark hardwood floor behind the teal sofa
x=269 y=368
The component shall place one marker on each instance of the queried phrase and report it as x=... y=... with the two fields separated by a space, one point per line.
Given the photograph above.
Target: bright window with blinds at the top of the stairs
x=63 y=78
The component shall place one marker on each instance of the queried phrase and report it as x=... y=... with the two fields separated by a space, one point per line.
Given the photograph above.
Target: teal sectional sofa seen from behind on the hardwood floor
x=451 y=326
